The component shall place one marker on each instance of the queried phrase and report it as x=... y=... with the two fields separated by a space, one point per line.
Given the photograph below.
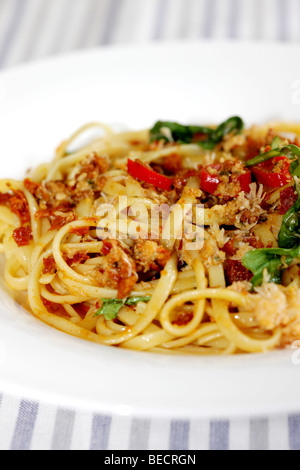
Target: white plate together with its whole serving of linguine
x=150 y=250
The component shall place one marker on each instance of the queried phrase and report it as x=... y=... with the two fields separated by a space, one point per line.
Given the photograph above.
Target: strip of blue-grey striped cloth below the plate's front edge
x=25 y=425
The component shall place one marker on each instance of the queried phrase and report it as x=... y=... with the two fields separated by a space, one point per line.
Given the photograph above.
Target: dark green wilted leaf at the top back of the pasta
x=179 y=133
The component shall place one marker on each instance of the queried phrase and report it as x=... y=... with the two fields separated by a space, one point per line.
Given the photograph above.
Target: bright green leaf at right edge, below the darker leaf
x=271 y=259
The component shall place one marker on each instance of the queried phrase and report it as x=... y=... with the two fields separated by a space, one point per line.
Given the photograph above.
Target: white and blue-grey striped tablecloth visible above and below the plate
x=33 y=29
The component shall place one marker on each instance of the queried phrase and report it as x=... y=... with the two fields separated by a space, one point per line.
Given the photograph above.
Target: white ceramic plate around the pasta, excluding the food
x=43 y=103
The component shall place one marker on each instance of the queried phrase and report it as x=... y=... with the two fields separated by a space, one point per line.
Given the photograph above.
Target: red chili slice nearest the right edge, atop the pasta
x=273 y=173
